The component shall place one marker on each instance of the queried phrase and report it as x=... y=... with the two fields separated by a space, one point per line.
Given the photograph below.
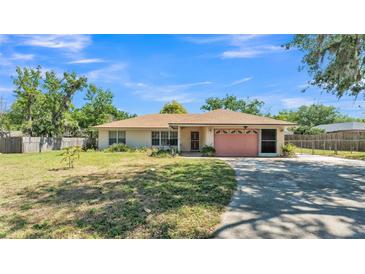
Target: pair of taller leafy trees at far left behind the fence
x=43 y=103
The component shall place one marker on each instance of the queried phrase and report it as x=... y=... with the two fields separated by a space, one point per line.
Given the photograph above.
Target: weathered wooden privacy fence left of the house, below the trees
x=38 y=144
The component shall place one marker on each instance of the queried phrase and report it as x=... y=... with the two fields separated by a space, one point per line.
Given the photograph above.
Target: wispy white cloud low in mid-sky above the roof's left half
x=166 y=93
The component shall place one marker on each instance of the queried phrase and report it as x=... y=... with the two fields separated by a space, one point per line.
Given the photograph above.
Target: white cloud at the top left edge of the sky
x=72 y=43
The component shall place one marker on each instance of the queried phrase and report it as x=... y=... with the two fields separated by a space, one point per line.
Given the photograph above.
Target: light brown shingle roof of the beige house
x=216 y=117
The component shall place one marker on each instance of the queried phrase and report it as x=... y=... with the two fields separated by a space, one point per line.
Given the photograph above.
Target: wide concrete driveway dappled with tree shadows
x=304 y=197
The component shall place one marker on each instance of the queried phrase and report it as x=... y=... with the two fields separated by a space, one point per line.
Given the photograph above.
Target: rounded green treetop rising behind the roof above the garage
x=231 y=102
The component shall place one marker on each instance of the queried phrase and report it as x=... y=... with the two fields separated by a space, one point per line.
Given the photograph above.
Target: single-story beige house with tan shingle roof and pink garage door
x=231 y=133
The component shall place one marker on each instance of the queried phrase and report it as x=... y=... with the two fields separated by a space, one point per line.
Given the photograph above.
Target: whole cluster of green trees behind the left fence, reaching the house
x=43 y=104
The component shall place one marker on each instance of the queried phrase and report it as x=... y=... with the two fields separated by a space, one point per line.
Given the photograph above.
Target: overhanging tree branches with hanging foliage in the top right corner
x=335 y=62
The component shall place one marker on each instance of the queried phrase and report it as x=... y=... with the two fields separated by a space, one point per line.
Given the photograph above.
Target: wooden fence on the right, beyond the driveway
x=342 y=141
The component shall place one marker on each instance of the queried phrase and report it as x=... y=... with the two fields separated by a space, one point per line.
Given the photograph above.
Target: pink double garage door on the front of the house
x=236 y=142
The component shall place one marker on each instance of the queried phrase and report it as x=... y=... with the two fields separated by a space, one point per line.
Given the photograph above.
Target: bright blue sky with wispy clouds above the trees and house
x=145 y=71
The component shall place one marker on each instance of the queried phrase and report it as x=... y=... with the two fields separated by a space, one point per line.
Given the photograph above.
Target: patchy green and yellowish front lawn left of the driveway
x=111 y=195
